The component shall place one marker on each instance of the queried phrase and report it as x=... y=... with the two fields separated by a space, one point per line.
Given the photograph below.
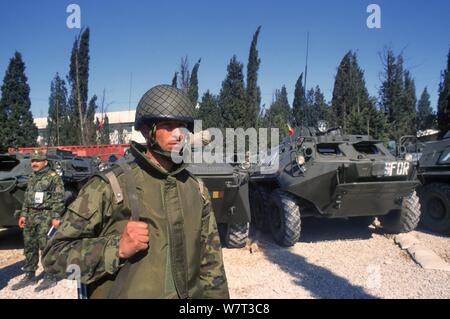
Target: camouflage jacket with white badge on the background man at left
x=45 y=192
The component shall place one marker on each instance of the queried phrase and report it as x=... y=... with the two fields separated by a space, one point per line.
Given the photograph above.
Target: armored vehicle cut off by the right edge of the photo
x=434 y=173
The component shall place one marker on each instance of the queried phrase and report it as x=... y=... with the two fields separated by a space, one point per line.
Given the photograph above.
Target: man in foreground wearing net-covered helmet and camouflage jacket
x=145 y=229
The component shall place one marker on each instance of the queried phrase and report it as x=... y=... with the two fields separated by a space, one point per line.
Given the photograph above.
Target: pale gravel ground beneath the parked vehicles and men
x=334 y=259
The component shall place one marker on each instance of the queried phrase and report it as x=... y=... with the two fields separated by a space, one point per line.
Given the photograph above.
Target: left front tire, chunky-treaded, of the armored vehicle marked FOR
x=285 y=223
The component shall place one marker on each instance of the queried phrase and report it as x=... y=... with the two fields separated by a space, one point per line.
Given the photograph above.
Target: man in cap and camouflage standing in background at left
x=42 y=207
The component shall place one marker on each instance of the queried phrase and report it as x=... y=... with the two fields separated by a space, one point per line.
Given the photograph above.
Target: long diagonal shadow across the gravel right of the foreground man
x=320 y=282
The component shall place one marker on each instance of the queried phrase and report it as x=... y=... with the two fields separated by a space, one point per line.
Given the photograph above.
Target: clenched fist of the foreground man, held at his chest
x=135 y=238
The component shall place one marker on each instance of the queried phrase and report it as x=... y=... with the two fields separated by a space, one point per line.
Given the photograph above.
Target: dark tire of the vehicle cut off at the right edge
x=435 y=202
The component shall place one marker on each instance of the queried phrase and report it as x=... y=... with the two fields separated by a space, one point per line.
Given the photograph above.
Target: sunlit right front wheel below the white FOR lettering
x=405 y=219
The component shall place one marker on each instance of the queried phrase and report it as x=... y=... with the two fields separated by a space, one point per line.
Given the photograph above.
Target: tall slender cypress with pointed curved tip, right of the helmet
x=253 y=90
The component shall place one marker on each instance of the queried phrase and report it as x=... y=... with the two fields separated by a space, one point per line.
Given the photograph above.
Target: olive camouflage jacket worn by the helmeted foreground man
x=184 y=258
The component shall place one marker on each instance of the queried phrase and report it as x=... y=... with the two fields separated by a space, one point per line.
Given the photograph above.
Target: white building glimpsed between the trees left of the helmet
x=121 y=126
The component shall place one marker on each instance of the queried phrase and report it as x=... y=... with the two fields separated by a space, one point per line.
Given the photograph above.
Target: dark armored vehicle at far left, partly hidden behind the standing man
x=15 y=170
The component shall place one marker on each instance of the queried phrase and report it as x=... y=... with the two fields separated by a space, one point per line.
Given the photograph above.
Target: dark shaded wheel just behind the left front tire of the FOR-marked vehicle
x=259 y=201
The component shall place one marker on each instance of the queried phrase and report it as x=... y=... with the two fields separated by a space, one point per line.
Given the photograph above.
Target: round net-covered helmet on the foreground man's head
x=164 y=102
